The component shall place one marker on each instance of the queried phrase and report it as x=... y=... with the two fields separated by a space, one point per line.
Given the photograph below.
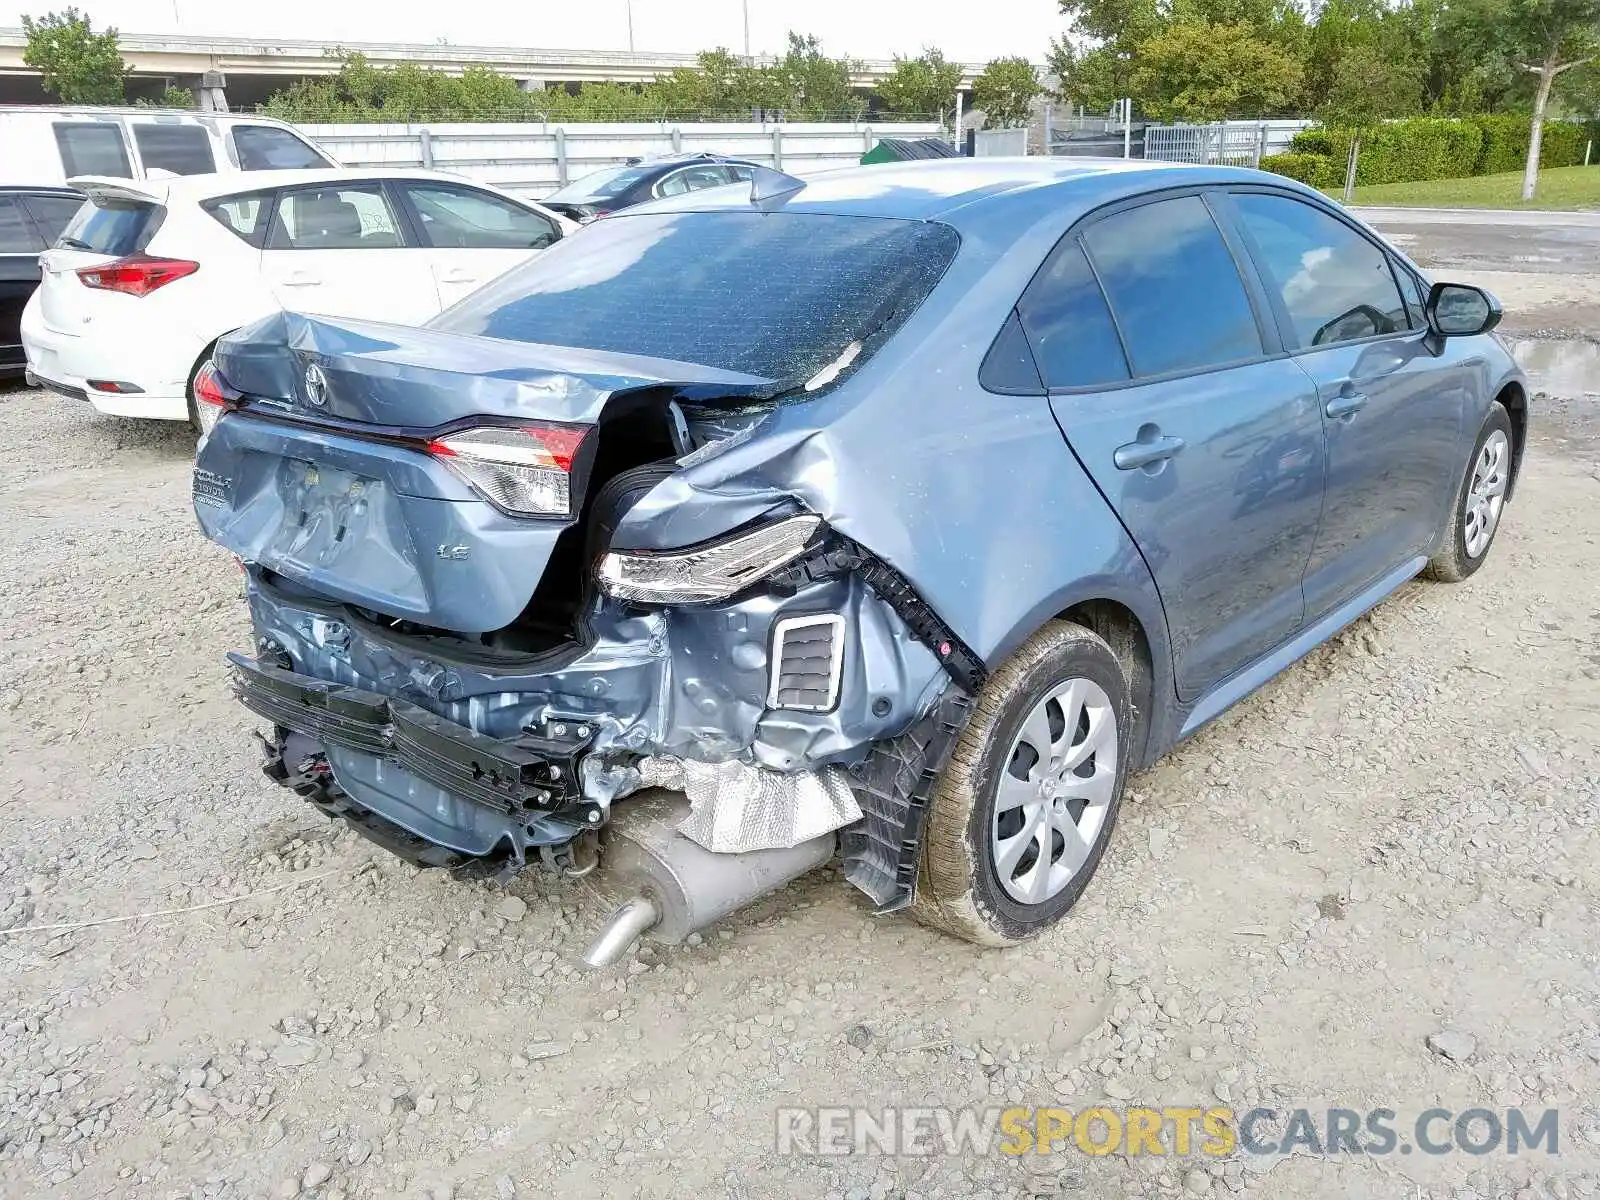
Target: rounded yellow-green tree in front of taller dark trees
x=1201 y=73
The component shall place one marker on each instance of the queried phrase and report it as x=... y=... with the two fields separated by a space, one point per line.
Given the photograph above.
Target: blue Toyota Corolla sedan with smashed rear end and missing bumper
x=897 y=516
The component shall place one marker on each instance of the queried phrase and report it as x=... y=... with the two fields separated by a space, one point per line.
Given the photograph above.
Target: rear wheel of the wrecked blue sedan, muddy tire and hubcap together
x=1028 y=802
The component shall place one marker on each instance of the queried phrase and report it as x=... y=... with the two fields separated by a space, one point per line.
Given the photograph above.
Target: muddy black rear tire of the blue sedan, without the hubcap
x=959 y=887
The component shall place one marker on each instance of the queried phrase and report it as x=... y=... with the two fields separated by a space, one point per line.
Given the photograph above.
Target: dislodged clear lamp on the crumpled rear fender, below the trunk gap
x=706 y=572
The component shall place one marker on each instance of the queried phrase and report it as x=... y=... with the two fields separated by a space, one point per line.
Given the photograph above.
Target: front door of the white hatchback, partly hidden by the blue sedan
x=471 y=236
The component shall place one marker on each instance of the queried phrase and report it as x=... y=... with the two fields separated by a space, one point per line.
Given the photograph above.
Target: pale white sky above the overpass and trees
x=858 y=28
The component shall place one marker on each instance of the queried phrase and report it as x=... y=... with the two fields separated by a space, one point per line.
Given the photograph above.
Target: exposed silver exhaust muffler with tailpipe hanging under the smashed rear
x=676 y=887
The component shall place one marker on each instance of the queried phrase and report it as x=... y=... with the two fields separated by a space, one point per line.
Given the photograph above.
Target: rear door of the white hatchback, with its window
x=342 y=250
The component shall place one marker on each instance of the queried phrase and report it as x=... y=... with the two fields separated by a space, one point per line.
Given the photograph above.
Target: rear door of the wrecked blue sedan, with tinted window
x=1162 y=370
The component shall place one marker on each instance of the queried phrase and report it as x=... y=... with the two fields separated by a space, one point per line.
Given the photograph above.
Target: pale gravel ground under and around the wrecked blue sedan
x=1372 y=886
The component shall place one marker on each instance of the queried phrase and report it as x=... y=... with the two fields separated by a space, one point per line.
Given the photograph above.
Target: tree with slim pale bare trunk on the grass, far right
x=1545 y=38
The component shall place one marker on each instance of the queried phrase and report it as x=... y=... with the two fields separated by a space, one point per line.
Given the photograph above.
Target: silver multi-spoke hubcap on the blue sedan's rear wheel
x=1055 y=791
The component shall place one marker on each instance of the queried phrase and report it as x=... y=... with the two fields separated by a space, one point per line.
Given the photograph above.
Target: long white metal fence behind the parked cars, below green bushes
x=538 y=158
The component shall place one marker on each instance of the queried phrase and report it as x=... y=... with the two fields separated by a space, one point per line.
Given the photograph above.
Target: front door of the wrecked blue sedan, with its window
x=1393 y=410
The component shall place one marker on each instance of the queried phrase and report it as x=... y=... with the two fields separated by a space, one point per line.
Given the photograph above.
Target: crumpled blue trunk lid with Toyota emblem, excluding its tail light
x=324 y=476
